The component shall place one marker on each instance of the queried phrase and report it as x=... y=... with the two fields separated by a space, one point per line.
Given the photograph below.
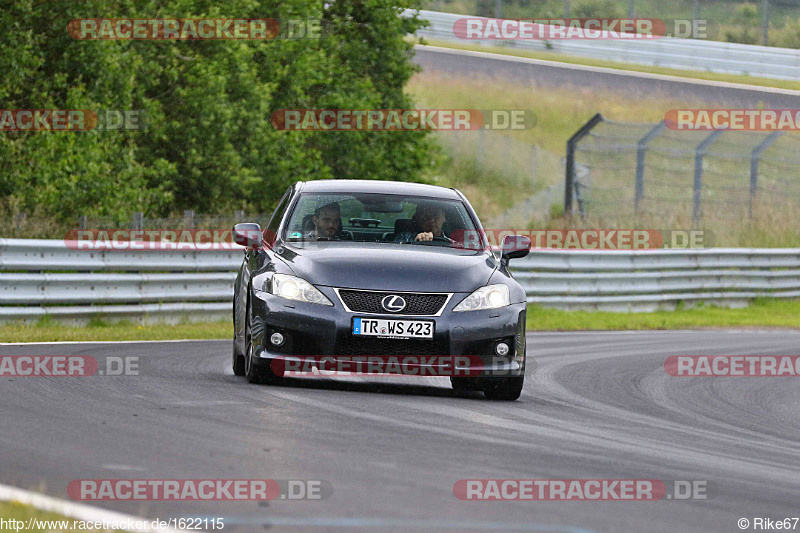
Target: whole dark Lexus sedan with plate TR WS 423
x=379 y=277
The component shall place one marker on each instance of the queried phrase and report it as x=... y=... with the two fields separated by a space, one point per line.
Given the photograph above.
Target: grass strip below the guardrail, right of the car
x=761 y=313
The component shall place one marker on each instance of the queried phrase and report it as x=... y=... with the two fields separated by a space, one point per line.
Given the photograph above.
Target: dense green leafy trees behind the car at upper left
x=209 y=144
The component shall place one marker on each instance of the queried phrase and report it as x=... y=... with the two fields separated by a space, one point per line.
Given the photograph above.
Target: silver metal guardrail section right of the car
x=644 y=280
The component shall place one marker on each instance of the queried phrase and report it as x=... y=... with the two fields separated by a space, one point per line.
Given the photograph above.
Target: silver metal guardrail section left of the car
x=47 y=277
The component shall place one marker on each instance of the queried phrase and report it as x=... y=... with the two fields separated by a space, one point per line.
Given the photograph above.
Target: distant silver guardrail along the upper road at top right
x=691 y=54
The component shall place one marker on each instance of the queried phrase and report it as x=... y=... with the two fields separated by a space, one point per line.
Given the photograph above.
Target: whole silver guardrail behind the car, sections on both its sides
x=42 y=277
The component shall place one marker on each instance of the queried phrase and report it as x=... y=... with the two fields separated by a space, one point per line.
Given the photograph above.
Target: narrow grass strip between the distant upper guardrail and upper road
x=553 y=56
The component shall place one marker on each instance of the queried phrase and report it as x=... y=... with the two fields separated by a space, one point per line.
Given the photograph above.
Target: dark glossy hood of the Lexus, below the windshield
x=391 y=267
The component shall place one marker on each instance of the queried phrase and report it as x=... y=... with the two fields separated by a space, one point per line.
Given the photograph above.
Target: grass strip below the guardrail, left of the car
x=98 y=330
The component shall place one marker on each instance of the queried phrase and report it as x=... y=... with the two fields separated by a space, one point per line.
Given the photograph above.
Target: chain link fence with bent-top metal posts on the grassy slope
x=616 y=168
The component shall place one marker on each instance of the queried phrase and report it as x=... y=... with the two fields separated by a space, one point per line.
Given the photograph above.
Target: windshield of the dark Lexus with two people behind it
x=381 y=218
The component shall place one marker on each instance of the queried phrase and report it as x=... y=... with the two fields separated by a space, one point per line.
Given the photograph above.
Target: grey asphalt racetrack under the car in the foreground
x=595 y=406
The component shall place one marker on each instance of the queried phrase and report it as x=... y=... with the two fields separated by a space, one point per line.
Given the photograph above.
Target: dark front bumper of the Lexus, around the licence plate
x=466 y=338
